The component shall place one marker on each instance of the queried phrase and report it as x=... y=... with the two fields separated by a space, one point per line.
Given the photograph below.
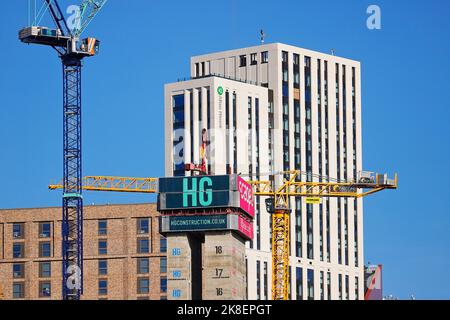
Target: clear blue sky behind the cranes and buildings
x=405 y=69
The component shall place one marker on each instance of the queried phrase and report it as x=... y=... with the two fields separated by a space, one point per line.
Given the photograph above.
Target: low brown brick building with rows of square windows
x=124 y=253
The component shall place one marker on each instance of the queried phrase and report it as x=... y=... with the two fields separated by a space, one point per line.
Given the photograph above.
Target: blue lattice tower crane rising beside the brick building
x=65 y=40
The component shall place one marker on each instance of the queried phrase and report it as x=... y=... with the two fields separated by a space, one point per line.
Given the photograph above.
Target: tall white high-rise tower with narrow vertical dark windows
x=277 y=107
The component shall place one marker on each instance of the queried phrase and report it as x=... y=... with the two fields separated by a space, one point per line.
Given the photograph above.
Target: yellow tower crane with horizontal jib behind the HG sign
x=278 y=204
